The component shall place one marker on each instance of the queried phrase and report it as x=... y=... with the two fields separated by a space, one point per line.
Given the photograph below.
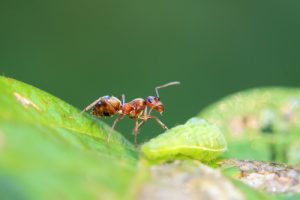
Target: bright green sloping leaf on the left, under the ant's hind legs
x=48 y=150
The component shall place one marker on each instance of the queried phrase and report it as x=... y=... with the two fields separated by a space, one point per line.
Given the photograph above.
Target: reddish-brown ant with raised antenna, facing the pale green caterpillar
x=135 y=109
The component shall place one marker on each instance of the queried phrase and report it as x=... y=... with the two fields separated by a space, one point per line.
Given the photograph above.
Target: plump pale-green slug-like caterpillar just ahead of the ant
x=196 y=139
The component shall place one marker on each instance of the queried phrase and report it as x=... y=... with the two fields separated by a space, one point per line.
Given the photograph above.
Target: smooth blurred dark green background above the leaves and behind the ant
x=80 y=50
